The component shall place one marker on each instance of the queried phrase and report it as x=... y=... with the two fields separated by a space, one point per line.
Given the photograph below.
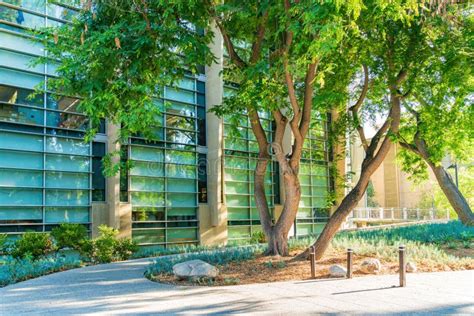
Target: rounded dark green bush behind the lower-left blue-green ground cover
x=33 y=245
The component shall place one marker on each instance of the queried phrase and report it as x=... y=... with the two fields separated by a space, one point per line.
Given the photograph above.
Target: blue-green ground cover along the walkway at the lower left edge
x=16 y=270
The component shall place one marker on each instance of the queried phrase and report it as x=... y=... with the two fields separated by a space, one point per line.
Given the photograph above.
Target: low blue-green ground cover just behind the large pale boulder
x=164 y=265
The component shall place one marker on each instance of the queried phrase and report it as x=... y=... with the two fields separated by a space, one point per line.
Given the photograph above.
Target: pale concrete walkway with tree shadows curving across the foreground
x=120 y=288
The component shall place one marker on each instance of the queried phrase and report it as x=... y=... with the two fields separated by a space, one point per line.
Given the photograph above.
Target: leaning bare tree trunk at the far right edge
x=445 y=181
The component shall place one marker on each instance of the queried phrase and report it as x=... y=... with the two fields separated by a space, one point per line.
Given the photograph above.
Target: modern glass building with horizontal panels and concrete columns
x=191 y=185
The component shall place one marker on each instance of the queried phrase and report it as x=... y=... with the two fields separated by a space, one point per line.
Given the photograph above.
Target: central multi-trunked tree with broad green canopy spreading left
x=116 y=54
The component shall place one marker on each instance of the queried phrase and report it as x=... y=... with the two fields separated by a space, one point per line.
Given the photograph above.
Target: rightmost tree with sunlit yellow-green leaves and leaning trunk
x=440 y=115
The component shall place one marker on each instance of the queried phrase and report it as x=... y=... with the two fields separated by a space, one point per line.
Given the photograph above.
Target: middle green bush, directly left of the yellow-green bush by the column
x=71 y=236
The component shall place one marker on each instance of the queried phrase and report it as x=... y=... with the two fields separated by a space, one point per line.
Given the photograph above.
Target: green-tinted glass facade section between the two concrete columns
x=163 y=182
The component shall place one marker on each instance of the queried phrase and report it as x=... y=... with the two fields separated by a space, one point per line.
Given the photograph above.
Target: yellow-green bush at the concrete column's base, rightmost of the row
x=107 y=247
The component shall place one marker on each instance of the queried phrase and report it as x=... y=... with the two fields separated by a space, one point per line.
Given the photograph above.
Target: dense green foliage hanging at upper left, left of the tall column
x=137 y=50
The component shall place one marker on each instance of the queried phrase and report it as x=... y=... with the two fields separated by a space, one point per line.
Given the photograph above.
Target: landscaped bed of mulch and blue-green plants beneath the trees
x=431 y=247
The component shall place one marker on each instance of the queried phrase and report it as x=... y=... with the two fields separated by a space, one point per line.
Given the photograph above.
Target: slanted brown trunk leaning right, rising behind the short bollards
x=371 y=162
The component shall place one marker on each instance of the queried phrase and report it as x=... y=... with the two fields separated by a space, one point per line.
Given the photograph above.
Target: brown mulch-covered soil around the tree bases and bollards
x=265 y=269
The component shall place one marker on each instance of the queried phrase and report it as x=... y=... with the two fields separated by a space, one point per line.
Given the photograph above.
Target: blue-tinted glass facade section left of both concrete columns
x=45 y=167
